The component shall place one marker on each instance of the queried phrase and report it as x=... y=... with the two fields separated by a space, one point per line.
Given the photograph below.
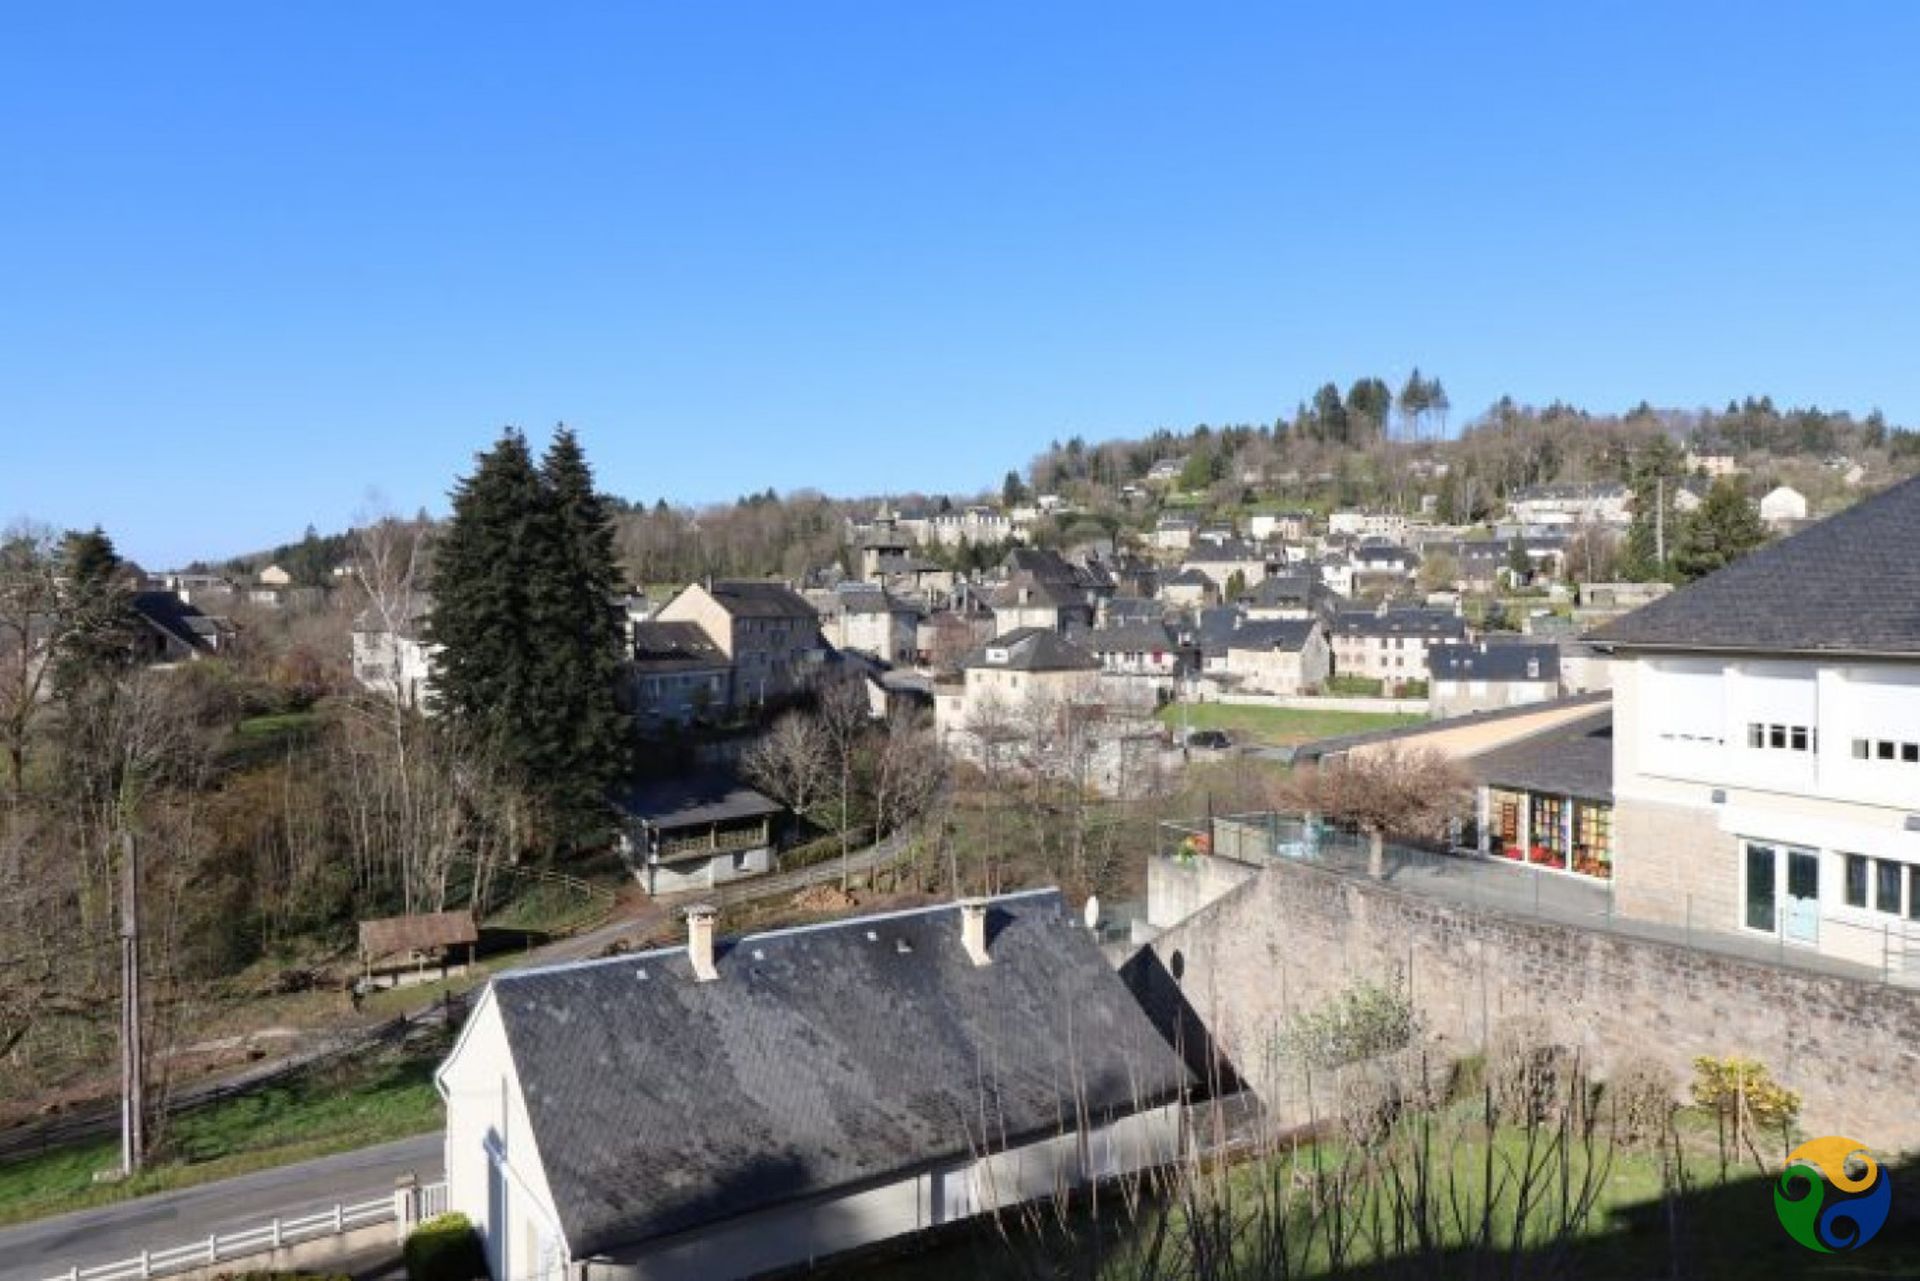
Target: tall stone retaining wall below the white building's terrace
x=1297 y=934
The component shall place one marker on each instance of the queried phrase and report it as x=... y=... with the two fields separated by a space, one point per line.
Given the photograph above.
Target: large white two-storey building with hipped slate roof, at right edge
x=1767 y=742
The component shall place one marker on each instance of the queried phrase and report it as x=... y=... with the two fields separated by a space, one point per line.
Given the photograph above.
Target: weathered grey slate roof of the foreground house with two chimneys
x=821 y=1059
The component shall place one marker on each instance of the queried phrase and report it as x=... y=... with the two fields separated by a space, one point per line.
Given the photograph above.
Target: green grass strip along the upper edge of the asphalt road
x=329 y=1111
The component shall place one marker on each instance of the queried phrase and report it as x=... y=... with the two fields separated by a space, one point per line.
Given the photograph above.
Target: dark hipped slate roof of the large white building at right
x=1848 y=585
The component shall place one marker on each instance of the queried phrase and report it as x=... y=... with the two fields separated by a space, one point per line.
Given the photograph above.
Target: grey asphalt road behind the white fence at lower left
x=45 y=1249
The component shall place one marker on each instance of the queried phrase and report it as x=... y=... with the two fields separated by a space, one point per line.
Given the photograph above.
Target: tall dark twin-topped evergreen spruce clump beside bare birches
x=529 y=650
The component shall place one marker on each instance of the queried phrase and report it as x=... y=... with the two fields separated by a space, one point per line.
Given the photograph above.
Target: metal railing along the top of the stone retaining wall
x=1881 y=954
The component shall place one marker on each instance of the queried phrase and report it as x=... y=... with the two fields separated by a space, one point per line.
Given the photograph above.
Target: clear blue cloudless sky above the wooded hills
x=262 y=260
